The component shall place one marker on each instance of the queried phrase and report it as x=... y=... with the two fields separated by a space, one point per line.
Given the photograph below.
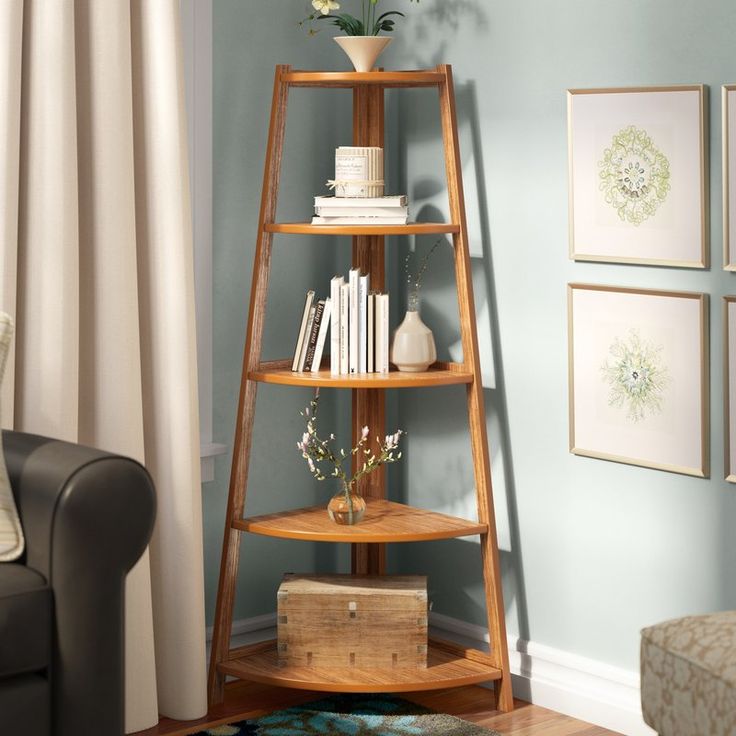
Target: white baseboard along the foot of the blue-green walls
x=566 y=683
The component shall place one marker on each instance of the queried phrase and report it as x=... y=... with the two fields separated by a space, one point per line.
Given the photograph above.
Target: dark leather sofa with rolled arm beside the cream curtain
x=87 y=517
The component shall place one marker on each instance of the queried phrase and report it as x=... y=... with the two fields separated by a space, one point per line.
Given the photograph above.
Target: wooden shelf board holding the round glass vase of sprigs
x=384 y=521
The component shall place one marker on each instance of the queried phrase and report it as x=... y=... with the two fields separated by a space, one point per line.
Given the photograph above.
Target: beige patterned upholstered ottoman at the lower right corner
x=688 y=676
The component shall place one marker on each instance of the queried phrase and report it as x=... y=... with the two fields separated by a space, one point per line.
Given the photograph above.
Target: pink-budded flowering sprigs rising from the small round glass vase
x=319 y=452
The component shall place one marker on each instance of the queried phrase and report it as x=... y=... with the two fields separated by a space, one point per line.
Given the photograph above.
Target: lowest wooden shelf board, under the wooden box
x=448 y=665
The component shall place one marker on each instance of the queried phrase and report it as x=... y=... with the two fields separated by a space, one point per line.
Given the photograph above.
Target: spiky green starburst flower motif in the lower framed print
x=636 y=376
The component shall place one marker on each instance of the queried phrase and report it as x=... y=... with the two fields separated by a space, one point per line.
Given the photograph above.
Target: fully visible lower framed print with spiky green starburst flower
x=638 y=373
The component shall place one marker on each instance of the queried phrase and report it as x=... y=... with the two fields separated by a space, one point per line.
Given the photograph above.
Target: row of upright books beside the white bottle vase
x=356 y=319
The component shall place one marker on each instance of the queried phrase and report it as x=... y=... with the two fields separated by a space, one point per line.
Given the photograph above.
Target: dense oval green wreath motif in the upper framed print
x=634 y=175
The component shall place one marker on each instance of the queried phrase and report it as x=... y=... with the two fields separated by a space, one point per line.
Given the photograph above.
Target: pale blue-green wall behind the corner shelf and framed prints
x=591 y=551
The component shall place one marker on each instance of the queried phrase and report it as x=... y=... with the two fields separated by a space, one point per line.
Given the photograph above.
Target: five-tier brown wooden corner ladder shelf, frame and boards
x=448 y=665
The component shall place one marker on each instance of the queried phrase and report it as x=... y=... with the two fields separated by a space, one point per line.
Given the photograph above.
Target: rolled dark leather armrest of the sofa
x=87 y=517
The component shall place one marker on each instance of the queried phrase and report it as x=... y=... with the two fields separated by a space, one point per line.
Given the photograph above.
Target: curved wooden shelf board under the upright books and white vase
x=441 y=374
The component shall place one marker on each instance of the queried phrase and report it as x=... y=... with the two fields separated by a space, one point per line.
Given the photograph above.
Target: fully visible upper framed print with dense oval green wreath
x=638 y=175
